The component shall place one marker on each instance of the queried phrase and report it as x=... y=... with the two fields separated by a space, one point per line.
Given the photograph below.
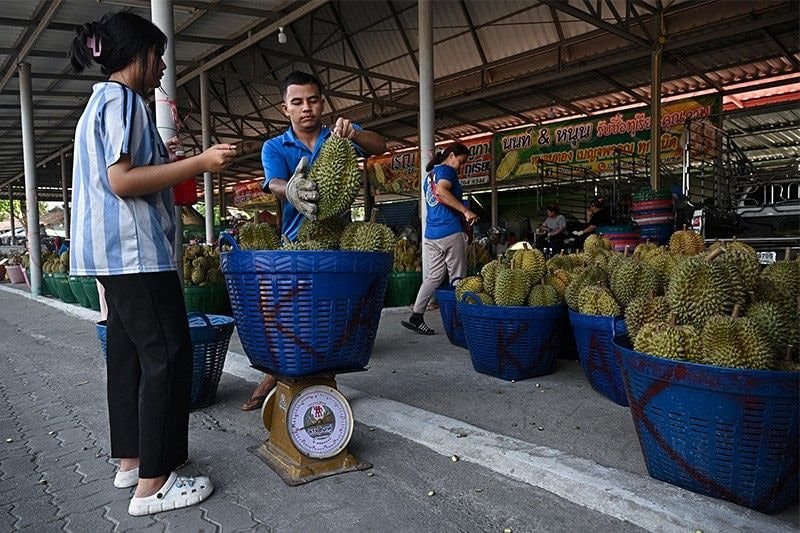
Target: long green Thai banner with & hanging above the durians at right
x=593 y=142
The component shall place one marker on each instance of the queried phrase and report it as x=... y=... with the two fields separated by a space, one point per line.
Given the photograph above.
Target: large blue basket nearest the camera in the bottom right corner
x=724 y=432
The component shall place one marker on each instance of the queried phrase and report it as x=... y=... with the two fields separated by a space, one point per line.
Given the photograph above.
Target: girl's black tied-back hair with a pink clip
x=116 y=41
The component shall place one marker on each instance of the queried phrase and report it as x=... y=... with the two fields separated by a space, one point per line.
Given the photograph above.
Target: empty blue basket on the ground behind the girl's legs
x=211 y=335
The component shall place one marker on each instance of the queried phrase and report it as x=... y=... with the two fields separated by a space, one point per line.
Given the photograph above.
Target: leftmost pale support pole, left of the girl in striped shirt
x=31 y=198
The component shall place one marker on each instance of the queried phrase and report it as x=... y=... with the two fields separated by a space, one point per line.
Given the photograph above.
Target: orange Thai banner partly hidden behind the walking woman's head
x=398 y=173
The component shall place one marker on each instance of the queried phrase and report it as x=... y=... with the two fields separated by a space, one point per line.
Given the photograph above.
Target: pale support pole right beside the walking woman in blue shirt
x=426 y=111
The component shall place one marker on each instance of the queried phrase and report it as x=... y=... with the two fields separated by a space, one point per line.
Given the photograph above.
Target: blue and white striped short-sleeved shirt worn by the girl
x=112 y=235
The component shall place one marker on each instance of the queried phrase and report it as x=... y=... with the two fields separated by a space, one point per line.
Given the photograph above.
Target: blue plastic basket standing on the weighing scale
x=305 y=312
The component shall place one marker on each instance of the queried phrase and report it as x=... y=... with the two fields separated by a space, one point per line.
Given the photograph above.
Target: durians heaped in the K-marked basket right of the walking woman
x=518 y=278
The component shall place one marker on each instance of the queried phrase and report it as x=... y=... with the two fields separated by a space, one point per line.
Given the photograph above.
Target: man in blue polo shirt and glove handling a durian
x=286 y=158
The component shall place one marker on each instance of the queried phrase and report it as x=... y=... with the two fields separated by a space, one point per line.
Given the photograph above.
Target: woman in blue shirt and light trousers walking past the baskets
x=445 y=241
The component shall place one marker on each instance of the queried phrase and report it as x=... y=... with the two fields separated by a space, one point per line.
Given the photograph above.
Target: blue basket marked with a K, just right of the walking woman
x=510 y=342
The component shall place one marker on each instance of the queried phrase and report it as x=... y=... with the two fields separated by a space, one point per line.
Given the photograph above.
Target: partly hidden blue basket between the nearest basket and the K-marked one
x=594 y=335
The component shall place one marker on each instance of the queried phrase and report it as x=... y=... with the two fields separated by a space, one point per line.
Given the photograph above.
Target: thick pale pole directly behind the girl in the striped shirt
x=161 y=13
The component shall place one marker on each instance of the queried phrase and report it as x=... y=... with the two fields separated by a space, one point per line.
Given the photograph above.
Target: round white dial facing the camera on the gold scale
x=320 y=421
